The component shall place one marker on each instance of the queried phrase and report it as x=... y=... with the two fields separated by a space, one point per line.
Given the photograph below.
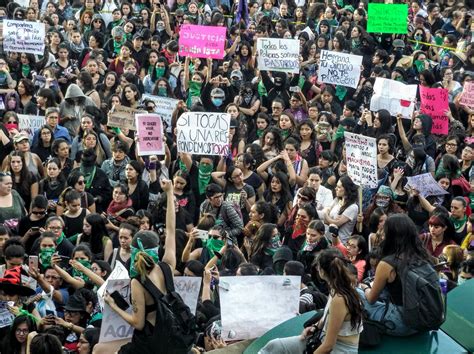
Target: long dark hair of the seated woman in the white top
x=341 y=283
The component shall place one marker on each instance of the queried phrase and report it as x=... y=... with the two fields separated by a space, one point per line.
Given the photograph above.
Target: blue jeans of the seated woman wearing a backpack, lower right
x=392 y=319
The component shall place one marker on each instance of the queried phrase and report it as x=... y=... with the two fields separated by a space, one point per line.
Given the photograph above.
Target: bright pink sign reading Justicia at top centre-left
x=202 y=41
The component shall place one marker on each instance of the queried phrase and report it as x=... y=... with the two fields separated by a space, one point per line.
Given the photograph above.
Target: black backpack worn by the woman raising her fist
x=175 y=324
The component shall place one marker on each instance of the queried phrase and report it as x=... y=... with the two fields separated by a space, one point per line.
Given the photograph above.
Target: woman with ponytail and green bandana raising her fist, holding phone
x=146 y=273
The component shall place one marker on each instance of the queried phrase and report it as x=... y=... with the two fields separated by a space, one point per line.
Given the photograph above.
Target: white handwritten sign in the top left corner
x=23 y=37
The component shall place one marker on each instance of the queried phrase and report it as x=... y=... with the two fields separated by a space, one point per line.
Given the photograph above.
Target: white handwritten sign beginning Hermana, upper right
x=339 y=68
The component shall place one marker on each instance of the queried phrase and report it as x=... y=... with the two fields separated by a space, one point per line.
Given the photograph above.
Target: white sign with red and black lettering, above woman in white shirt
x=361 y=157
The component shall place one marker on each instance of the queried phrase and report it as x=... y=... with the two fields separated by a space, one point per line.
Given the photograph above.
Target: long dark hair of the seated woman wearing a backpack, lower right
x=402 y=240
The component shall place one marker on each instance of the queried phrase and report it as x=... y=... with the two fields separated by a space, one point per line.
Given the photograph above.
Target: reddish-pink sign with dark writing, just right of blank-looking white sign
x=434 y=102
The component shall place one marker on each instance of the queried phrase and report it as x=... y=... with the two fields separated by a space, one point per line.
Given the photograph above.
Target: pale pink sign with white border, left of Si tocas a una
x=150 y=134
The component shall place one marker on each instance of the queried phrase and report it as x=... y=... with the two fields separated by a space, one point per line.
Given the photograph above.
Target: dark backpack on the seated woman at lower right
x=423 y=303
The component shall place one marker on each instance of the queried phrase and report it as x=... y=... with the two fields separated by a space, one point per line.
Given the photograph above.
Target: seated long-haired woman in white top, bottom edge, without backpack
x=341 y=322
